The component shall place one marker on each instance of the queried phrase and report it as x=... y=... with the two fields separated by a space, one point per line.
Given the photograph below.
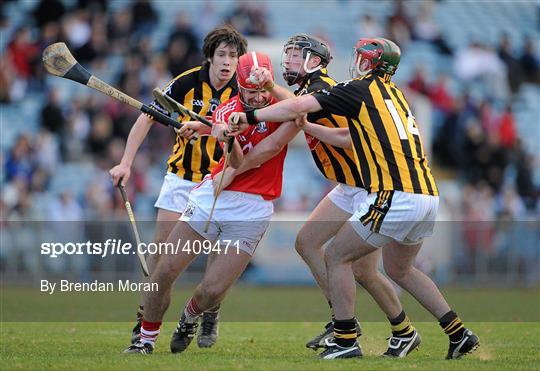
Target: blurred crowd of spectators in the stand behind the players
x=475 y=136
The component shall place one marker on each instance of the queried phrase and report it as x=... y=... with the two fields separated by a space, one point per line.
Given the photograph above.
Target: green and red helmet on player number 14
x=372 y=55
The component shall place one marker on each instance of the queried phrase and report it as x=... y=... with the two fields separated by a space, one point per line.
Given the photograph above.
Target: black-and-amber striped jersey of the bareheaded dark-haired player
x=192 y=161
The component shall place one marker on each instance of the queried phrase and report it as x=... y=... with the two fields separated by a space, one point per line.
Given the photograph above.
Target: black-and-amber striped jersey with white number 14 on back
x=386 y=142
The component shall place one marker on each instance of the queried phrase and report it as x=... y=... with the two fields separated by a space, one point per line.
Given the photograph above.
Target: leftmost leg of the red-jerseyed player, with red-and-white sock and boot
x=169 y=267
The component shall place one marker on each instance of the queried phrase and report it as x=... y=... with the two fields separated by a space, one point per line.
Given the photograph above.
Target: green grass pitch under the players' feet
x=262 y=345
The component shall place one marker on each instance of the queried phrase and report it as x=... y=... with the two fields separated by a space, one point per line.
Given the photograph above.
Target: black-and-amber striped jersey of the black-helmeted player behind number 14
x=335 y=163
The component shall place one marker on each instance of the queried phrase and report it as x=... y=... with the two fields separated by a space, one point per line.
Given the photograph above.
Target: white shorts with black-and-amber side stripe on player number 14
x=394 y=215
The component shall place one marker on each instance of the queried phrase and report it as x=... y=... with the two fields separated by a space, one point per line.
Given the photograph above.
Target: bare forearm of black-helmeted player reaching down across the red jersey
x=268 y=147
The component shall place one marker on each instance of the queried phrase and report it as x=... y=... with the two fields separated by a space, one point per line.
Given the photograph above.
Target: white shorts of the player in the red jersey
x=240 y=219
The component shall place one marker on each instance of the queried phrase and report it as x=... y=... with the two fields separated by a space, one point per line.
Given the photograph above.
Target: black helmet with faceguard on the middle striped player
x=308 y=46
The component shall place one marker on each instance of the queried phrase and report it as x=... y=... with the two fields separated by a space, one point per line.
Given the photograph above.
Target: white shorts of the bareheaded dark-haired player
x=174 y=193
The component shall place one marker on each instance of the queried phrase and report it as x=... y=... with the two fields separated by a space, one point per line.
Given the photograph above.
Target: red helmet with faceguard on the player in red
x=243 y=74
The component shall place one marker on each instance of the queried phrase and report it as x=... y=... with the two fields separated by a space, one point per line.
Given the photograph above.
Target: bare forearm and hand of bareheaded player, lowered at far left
x=136 y=136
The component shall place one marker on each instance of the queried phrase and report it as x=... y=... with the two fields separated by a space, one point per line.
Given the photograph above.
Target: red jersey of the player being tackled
x=265 y=180
